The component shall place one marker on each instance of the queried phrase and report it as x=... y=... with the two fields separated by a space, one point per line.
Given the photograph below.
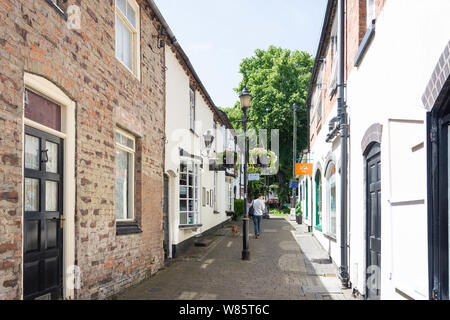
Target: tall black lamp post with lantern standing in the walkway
x=246 y=99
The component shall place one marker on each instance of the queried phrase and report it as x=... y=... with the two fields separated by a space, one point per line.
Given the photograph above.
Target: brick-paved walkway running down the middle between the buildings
x=286 y=263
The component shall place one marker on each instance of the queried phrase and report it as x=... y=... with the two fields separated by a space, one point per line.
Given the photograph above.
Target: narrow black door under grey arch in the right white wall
x=373 y=223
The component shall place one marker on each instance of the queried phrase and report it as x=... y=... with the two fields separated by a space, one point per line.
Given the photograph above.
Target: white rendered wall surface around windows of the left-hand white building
x=179 y=136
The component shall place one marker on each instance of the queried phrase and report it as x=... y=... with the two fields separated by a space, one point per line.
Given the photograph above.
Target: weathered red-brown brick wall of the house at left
x=34 y=38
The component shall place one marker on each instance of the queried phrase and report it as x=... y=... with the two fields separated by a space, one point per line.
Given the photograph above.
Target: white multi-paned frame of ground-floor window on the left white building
x=196 y=196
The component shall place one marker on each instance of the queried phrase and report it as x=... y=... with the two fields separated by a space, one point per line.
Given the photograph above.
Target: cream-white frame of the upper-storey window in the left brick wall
x=135 y=31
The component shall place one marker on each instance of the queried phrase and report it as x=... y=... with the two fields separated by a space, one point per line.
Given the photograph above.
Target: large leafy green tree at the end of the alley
x=277 y=78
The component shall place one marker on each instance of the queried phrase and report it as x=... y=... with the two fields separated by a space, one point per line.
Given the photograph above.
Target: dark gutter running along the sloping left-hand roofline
x=185 y=58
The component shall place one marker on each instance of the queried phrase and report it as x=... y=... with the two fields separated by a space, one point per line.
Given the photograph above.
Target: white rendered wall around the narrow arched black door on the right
x=387 y=89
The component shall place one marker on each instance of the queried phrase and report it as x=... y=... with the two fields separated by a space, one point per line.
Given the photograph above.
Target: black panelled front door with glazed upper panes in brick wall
x=43 y=215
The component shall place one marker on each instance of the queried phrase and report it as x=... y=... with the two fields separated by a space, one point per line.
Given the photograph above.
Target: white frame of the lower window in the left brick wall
x=131 y=180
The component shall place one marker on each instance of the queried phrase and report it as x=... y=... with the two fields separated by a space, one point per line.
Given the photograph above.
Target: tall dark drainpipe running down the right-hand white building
x=343 y=124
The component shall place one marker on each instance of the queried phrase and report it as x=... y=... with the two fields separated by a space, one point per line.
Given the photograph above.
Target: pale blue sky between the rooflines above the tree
x=217 y=34
